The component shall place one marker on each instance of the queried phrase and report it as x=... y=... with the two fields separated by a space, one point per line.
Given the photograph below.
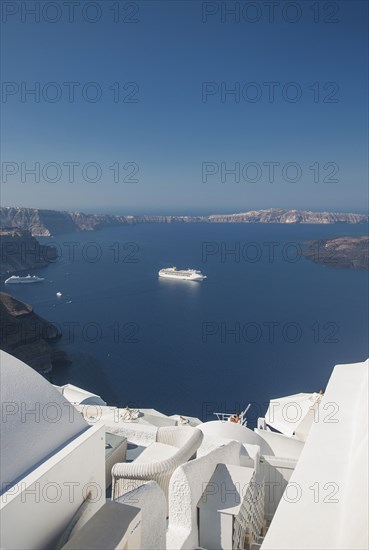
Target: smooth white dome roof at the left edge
x=36 y=419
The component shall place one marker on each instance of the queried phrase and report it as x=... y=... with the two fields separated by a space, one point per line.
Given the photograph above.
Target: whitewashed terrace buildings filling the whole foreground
x=176 y=482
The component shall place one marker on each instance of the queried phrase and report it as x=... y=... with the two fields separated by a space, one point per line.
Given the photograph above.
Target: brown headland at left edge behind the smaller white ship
x=19 y=251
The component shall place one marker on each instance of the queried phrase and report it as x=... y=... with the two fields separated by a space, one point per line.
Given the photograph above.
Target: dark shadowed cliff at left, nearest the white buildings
x=27 y=336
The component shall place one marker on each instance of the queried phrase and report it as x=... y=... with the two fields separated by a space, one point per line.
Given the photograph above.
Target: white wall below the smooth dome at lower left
x=40 y=506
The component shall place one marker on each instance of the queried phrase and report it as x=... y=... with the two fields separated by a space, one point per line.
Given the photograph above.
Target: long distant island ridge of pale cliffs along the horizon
x=46 y=223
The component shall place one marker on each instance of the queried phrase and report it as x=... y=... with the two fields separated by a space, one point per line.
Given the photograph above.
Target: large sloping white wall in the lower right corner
x=326 y=503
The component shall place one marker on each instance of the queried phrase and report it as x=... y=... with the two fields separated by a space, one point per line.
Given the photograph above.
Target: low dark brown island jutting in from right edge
x=348 y=252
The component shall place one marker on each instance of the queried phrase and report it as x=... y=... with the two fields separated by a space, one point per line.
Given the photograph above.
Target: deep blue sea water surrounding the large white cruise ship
x=262 y=325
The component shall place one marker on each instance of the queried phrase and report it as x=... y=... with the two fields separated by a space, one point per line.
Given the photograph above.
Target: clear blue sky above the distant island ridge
x=184 y=107
